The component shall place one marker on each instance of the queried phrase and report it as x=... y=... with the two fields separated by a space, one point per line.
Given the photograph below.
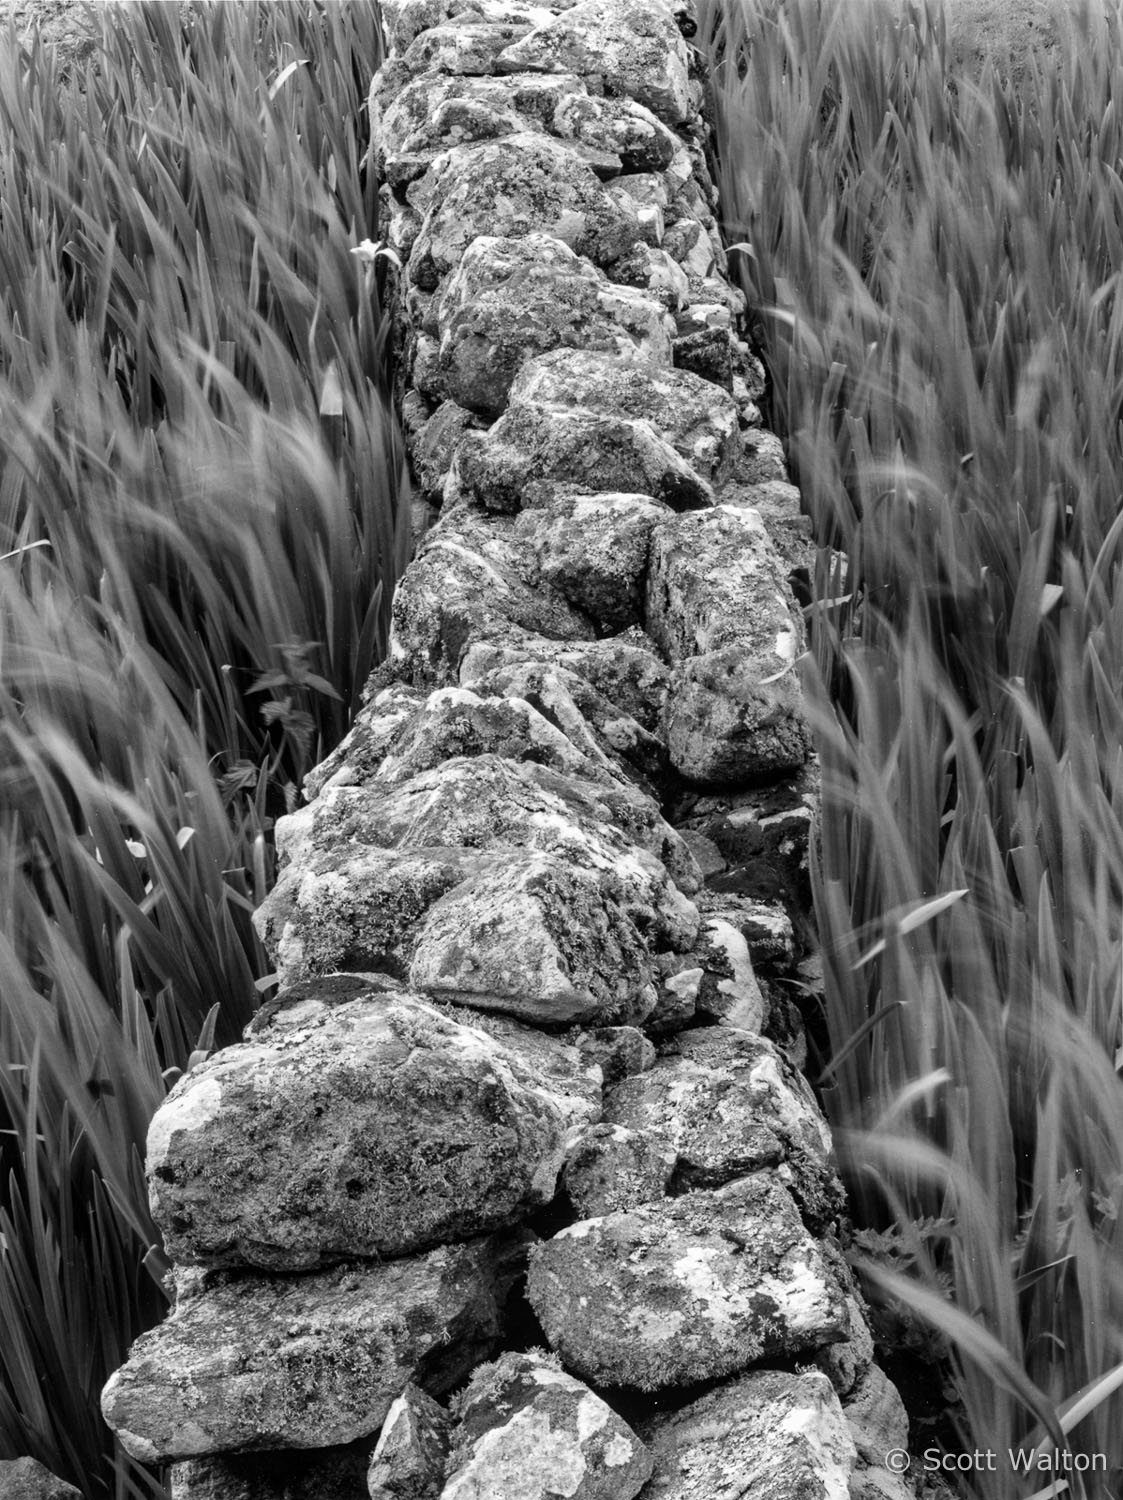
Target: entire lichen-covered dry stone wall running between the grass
x=517 y=1189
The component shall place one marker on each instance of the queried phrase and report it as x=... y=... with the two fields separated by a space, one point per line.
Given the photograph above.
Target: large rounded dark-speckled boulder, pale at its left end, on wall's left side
x=376 y=1127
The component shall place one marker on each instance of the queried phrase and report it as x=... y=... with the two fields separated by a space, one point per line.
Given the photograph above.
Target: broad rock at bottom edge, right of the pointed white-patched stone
x=770 y=1435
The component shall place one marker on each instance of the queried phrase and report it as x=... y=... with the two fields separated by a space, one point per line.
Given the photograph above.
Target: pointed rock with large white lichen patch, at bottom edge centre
x=529 y=1432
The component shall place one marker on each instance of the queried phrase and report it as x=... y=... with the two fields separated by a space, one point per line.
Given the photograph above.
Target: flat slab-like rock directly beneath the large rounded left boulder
x=310 y=1361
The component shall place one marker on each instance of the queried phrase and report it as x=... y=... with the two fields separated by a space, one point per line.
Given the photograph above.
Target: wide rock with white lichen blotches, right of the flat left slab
x=686 y=1289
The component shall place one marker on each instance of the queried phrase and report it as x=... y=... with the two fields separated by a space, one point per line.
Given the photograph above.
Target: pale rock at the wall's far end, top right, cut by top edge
x=633 y=46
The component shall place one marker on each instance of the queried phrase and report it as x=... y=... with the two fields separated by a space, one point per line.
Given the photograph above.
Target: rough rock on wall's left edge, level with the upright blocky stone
x=469 y=580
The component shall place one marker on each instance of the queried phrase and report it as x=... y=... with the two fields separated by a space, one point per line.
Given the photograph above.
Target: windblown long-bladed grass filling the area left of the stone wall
x=202 y=520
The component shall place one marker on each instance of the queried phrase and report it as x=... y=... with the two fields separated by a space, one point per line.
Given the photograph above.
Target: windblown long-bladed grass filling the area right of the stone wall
x=936 y=269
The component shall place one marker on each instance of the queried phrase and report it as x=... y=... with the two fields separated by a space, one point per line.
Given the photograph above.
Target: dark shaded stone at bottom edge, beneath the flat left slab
x=320 y=1474
